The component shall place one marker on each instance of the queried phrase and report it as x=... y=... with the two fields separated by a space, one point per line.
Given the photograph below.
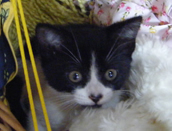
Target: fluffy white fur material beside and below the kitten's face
x=150 y=82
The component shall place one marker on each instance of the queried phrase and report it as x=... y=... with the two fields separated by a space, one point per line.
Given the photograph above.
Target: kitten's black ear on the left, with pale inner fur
x=48 y=36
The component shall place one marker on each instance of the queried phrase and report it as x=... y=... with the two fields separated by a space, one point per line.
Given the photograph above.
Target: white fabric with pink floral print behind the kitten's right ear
x=157 y=15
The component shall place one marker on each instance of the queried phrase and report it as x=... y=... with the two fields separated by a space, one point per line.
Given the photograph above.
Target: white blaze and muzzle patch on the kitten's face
x=94 y=89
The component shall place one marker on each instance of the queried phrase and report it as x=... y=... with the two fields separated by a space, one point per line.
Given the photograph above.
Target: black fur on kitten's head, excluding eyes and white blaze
x=55 y=44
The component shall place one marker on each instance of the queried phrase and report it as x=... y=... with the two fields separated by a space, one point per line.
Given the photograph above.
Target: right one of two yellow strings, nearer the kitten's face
x=34 y=66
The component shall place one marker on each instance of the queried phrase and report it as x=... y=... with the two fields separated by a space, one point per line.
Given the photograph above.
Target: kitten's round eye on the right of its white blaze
x=110 y=74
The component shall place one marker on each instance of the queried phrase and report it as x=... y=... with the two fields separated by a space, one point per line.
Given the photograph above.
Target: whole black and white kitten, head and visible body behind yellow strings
x=80 y=66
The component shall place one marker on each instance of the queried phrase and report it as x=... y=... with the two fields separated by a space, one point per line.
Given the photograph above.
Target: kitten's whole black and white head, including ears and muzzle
x=90 y=62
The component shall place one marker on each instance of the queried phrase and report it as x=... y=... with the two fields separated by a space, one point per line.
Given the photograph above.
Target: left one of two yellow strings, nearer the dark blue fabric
x=25 y=65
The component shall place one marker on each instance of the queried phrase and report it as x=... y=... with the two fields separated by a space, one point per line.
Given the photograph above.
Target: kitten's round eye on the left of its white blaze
x=75 y=76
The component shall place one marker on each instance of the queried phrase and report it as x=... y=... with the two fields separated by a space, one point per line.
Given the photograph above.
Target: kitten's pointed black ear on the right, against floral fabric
x=122 y=36
